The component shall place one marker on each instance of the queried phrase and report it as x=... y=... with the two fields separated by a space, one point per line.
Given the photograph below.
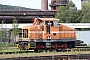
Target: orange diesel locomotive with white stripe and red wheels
x=47 y=34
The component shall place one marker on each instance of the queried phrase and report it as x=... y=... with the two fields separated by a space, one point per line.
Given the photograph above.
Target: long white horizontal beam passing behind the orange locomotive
x=72 y=25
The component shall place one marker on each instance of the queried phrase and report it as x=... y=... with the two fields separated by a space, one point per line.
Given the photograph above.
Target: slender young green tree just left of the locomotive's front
x=15 y=29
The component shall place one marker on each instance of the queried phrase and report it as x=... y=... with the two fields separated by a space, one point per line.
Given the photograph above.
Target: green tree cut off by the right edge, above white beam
x=86 y=12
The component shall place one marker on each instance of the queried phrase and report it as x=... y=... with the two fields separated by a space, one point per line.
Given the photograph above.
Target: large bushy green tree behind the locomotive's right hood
x=69 y=13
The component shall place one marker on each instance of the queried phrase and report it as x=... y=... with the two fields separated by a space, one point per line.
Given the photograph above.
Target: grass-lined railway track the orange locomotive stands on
x=77 y=49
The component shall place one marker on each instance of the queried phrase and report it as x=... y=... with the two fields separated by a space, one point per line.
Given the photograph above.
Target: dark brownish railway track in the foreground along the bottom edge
x=52 y=57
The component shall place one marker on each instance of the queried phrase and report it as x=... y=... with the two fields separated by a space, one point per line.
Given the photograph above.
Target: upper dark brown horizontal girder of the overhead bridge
x=28 y=13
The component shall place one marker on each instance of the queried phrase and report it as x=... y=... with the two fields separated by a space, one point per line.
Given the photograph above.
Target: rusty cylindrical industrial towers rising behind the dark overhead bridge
x=54 y=4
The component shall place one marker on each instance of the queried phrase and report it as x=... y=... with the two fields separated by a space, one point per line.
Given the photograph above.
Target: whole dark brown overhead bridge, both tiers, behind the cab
x=25 y=16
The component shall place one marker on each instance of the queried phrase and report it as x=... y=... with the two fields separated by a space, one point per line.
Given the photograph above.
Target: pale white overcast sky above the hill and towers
x=36 y=4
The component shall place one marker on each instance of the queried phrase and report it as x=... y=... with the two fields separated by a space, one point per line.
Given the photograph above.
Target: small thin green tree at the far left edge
x=3 y=32
